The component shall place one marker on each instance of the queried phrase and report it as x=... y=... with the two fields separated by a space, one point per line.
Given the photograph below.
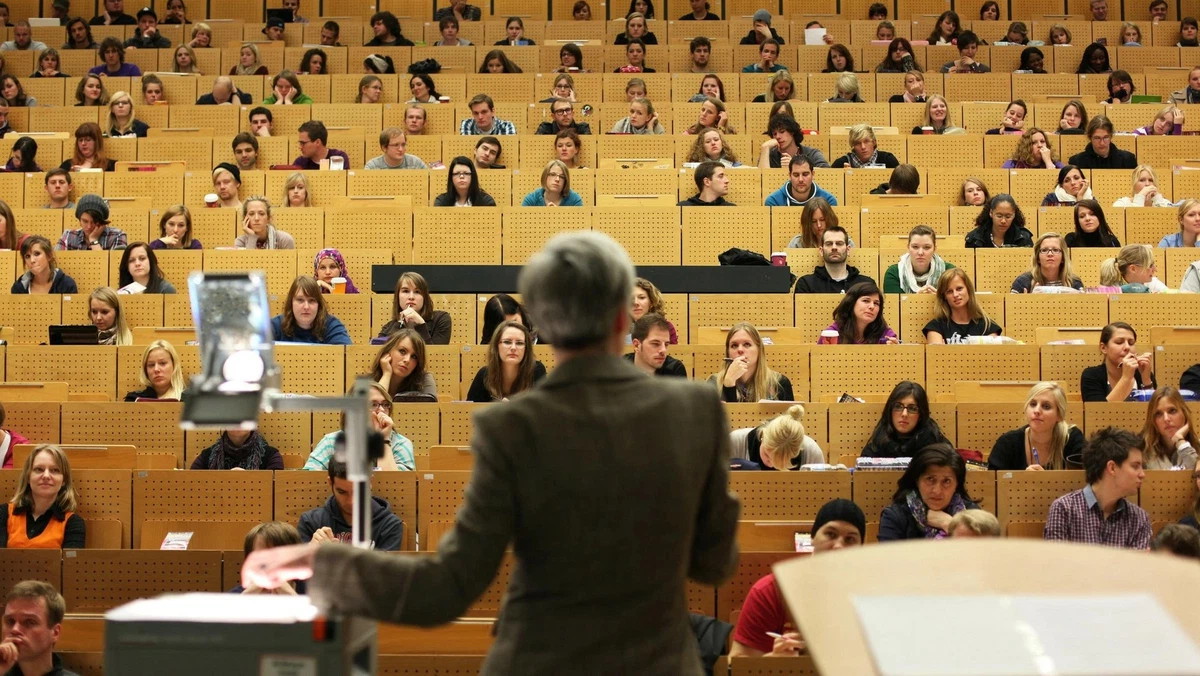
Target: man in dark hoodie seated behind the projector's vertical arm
x=332 y=522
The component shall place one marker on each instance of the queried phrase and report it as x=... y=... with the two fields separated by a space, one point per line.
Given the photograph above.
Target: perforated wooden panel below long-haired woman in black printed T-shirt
x=949 y=364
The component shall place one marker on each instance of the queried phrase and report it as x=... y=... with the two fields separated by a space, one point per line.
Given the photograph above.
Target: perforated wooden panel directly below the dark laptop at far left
x=86 y=369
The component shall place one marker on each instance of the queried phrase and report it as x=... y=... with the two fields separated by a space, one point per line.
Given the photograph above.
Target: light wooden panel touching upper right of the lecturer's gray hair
x=651 y=236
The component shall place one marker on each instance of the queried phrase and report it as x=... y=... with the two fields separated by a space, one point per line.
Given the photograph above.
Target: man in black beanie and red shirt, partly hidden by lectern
x=839 y=524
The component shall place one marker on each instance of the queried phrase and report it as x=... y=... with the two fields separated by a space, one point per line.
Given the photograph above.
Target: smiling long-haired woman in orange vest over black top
x=43 y=515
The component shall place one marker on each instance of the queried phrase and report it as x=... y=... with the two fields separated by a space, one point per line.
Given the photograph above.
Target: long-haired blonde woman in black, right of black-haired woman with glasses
x=1047 y=441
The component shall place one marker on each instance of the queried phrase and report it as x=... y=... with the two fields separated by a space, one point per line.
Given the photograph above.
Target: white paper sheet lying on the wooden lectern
x=916 y=636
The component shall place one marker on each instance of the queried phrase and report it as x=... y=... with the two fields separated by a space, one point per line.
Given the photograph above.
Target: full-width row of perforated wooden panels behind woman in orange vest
x=221 y=507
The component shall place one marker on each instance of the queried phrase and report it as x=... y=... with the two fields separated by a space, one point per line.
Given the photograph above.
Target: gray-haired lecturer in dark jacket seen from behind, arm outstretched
x=610 y=487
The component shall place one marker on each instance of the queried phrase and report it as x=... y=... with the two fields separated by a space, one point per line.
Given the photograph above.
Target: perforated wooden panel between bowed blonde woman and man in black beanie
x=788 y=495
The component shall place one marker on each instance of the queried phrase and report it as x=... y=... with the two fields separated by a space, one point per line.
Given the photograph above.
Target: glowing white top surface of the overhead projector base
x=229 y=609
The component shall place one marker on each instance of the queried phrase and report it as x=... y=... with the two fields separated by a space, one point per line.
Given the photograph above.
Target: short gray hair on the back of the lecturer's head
x=577 y=286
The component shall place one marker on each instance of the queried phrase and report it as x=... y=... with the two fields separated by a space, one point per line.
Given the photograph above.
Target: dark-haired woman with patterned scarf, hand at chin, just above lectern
x=928 y=496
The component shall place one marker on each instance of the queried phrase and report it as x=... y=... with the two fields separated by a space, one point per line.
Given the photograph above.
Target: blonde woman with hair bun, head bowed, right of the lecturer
x=779 y=444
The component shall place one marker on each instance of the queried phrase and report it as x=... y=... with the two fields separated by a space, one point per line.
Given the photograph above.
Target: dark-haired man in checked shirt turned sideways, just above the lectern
x=1100 y=512
